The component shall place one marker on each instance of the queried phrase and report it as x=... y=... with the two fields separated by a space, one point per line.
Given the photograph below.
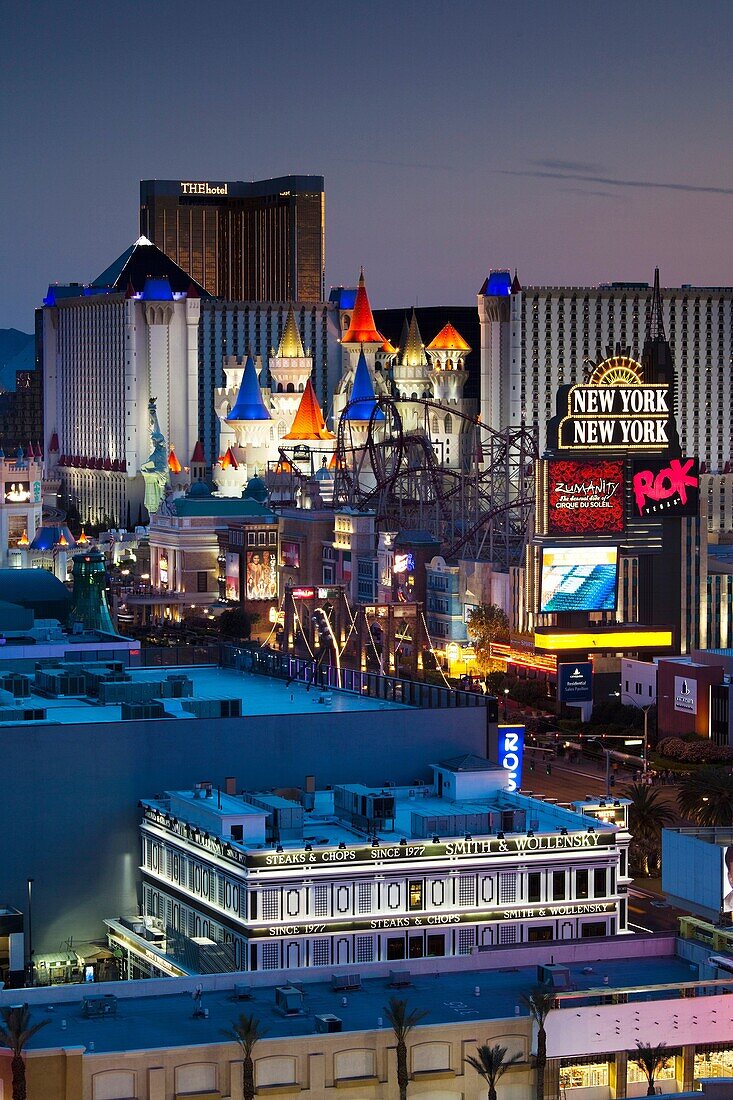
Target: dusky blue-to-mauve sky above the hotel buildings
x=581 y=142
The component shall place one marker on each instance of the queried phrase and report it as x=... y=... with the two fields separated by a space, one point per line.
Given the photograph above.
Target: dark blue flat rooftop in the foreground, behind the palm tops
x=165 y=1021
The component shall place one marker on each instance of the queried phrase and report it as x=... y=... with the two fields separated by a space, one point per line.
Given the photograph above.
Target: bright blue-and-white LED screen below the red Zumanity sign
x=579 y=579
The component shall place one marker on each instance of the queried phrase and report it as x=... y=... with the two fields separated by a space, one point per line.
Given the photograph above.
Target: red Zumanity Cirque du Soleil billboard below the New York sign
x=586 y=498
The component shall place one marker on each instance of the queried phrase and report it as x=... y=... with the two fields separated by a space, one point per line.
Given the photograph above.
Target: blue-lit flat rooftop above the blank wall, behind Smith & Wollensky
x=260 y=696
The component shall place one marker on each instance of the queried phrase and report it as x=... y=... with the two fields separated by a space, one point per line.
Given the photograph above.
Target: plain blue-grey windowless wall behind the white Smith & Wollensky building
x=70 y=818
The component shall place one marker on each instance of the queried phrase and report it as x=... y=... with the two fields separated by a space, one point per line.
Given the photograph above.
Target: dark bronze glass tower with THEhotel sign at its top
x=245 y=243
